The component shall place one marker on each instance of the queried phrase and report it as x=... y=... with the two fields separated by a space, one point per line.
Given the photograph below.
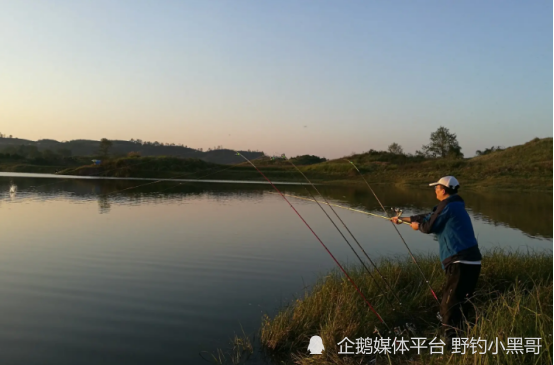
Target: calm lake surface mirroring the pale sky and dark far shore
x=91 y=274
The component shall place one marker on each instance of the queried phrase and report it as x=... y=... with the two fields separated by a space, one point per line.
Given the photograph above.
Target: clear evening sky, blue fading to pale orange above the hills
x=298 y=77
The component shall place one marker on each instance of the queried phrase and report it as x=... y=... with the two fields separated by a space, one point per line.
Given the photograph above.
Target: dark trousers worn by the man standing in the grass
x=461 y=280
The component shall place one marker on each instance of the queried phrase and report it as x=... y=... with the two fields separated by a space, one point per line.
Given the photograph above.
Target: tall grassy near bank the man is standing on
x=513 y=299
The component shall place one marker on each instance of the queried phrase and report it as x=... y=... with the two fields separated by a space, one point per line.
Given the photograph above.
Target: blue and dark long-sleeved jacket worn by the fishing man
x=451 y=224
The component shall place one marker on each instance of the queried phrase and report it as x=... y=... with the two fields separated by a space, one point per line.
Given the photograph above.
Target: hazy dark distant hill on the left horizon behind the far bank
x=83 y=147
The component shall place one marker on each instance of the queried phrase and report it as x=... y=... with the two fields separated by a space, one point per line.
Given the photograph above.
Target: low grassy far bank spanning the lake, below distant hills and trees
x=525 y=167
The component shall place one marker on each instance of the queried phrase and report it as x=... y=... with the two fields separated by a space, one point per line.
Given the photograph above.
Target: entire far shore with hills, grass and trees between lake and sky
x=523 y=167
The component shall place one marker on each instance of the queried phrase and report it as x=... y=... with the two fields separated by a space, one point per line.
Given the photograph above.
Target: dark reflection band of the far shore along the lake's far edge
x=526 y=211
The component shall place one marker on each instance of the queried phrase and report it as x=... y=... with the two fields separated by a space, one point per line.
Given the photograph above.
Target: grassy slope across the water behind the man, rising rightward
x=526 y=167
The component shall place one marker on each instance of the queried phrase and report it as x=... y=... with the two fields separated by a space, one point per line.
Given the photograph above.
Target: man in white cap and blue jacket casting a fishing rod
x=459 y=252
